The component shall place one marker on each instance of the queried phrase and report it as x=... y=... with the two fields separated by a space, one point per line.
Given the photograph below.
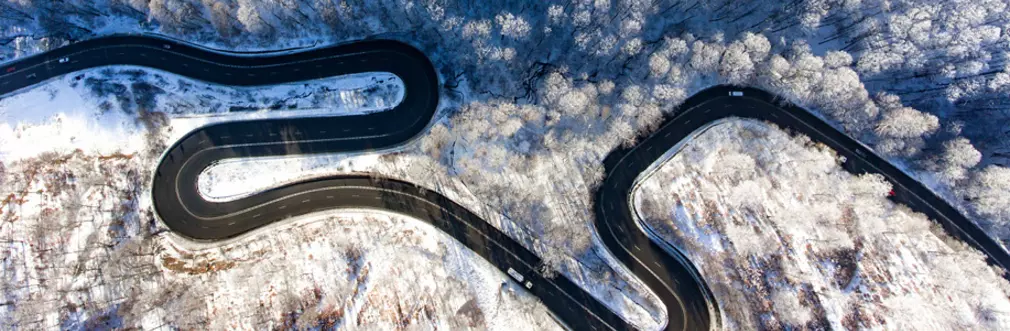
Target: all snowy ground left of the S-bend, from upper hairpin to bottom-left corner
x=83 y=251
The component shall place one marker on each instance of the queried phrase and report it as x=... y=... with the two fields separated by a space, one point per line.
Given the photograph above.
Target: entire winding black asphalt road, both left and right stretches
x=690 y=303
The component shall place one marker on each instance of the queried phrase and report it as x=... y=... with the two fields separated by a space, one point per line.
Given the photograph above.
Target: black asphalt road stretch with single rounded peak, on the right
x=666 y=270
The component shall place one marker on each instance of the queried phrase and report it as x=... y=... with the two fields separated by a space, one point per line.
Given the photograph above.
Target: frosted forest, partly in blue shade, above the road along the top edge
x=924 y=82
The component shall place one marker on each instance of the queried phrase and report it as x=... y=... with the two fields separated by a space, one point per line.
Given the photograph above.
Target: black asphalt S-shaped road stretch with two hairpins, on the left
x=182 y=208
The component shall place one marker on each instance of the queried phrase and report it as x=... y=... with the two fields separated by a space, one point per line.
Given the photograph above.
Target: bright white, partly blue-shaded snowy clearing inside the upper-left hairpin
x=105 y=111
